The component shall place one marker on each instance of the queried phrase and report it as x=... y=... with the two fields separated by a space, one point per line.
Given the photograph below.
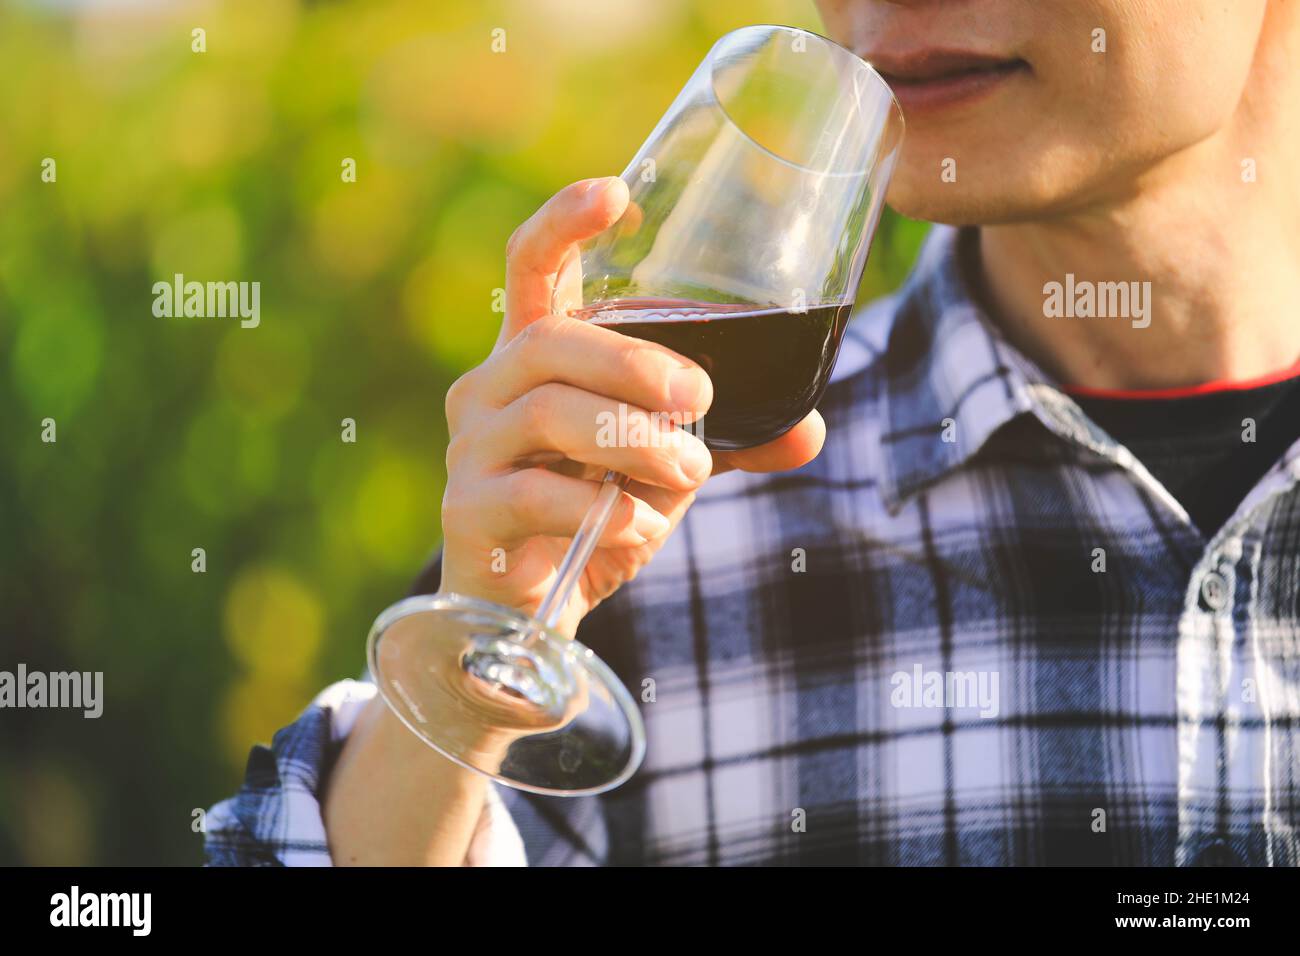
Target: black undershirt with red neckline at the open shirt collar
x=1195 y=447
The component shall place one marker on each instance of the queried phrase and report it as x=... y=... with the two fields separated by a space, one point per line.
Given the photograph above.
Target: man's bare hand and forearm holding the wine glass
x=523 y=468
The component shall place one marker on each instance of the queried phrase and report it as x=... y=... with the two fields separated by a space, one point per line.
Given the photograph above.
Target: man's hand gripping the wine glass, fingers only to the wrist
x=525 y=430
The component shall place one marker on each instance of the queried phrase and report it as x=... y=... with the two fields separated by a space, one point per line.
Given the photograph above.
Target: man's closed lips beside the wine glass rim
x=933 y=80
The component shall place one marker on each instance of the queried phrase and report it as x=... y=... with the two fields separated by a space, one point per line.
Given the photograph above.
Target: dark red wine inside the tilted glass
x=769 y=366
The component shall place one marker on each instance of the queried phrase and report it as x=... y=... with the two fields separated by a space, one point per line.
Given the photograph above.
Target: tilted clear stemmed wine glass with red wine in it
x=752 y=210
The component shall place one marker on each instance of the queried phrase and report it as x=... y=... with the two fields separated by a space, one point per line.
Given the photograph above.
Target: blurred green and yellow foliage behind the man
x=184 y=434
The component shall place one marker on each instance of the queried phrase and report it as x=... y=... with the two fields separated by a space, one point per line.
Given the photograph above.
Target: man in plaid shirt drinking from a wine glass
x=1089 y=525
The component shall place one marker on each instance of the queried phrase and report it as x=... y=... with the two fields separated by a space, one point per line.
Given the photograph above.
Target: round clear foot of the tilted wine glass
x=500 y=694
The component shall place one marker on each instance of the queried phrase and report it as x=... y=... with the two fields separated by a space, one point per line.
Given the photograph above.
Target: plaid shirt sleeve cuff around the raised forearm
x=276 y=819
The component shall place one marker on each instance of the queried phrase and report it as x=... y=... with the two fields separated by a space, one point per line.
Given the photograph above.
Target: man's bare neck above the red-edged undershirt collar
x=1221 y=254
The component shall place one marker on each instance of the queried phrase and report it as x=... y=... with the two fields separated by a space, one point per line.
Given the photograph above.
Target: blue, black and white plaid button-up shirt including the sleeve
x=976 y=630
